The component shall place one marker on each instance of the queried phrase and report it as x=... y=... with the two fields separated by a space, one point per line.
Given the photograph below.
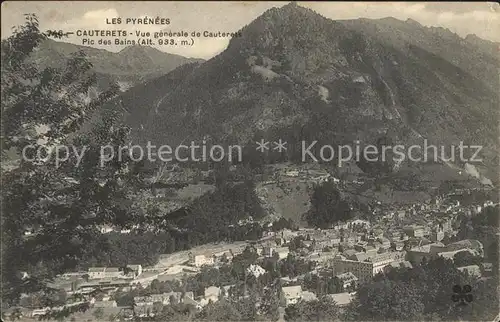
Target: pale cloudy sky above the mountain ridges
x=464 y=18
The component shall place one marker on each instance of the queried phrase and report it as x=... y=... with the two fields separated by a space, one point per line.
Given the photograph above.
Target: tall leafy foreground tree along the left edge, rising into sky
x=63 y=203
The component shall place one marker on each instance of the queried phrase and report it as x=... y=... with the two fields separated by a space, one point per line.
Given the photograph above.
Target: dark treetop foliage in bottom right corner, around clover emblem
x=423 y=293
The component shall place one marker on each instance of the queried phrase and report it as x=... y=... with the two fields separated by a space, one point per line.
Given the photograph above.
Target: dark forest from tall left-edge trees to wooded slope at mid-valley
x=63 y=205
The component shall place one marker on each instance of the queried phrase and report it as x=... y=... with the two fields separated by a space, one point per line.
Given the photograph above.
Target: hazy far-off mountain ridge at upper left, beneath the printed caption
x=129 y=67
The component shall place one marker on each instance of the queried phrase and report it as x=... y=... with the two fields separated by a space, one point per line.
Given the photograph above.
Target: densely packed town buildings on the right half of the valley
x=355 y=251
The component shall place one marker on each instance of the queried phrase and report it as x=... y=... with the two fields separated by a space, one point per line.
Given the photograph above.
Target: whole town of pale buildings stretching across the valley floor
x=352 y=252
